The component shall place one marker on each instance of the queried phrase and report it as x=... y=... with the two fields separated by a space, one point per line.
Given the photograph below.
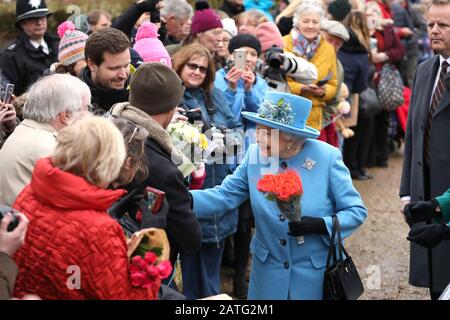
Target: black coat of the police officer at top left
x=22 y=64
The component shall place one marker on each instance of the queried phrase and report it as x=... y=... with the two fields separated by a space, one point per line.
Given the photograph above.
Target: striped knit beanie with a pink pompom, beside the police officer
x=72 y=44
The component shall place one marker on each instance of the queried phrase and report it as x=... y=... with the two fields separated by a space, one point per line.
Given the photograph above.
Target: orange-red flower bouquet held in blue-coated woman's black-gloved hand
x=286 y=189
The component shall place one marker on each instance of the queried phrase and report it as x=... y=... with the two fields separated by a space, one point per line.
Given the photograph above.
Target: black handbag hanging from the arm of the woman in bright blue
x=341 y=279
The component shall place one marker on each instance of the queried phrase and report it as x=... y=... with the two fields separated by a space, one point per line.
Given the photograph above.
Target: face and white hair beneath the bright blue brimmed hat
x=275 y=143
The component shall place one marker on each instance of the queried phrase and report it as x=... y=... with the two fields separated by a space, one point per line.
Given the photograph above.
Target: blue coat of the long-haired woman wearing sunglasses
x=216 y=227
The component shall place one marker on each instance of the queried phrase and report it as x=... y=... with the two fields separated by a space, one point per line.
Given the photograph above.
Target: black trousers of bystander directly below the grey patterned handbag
x=379 y=150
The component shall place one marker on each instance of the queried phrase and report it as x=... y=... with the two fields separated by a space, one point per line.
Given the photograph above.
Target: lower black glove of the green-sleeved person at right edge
x=429 y=235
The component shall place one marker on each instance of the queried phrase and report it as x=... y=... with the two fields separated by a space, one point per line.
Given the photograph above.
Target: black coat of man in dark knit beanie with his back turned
x=183 y=230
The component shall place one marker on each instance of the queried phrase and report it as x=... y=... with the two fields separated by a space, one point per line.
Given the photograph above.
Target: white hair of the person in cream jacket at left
x=53 y=94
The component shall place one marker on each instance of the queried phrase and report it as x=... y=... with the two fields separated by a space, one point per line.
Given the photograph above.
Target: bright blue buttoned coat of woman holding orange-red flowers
x=281 y=268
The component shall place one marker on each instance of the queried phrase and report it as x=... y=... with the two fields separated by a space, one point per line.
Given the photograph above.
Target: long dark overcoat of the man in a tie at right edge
x=412 y=182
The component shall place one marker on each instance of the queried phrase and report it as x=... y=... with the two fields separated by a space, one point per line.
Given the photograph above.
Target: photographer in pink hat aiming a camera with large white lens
x=276 y=64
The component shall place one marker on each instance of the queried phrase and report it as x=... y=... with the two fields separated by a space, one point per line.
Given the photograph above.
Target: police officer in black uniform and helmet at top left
x=34 y=50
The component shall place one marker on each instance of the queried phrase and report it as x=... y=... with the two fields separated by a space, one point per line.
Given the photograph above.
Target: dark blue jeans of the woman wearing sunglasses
x=201 y=272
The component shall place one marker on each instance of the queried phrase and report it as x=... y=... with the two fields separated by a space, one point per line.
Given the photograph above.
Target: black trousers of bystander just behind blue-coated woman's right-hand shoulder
x=356 y=148
